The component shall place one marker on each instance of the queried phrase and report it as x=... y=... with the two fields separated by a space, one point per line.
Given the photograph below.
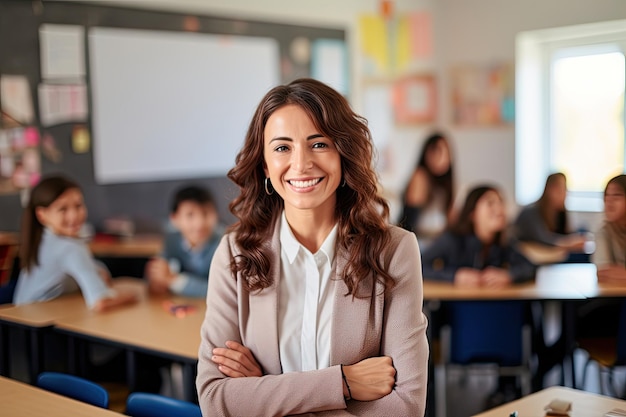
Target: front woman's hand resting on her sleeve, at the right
x=371 y=378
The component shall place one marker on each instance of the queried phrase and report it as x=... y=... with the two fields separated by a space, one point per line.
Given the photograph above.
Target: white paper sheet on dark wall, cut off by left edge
x=16 y=99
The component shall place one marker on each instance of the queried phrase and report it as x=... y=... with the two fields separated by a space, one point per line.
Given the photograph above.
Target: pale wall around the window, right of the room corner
x=483 y=31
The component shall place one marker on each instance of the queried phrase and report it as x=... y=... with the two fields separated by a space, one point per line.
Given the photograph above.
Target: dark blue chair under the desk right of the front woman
x=490 y=336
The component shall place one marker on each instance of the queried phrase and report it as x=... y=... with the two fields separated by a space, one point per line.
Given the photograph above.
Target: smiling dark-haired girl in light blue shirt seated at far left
x=54 y=260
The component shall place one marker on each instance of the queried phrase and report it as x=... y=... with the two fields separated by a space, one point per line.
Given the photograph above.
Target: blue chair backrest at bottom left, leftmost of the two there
x=74 y=387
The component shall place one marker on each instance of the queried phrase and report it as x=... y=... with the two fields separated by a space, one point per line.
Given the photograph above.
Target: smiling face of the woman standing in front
x=303 y=165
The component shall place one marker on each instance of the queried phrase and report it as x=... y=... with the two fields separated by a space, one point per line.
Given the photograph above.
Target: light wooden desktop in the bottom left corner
x=22 y=400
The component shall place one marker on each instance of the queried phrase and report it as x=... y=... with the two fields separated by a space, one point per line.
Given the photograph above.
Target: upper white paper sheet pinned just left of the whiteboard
x=62 y=50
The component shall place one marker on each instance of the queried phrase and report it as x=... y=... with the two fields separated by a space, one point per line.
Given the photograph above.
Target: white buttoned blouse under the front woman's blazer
x=305 y=302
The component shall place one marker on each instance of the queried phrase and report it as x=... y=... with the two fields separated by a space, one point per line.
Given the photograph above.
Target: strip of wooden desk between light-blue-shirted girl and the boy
x=140 y=246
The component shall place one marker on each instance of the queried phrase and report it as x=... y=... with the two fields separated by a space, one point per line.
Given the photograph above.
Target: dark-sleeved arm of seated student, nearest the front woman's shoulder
x=436 y=259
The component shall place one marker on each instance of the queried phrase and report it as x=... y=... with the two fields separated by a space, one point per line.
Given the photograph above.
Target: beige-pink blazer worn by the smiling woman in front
x=390 y=325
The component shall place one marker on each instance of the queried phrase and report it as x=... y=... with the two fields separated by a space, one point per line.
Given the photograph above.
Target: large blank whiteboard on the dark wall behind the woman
x=173 y=105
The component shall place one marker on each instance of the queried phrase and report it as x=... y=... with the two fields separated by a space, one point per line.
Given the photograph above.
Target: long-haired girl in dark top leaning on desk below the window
x=545 y=221
